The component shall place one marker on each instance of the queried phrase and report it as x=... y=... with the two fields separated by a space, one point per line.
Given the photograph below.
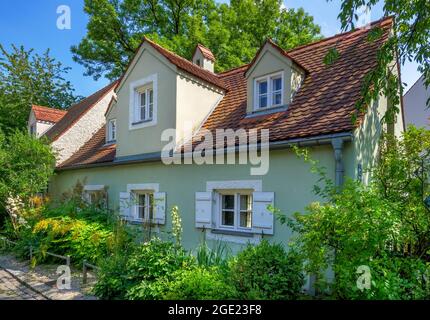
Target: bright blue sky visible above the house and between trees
x=33 y=24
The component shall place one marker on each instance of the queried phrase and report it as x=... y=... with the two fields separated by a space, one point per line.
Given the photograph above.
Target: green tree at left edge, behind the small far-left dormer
x=28 y=78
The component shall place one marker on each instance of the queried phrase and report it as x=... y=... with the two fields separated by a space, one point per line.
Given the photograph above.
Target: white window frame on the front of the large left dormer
x=136 y=88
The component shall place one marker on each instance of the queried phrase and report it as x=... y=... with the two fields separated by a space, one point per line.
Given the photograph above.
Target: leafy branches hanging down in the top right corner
x=409 y=41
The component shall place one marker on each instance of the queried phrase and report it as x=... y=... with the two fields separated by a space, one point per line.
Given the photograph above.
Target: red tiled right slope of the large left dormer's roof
x=188 y=66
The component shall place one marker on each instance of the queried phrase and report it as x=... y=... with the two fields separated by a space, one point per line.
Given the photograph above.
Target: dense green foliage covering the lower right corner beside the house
x=384 y=226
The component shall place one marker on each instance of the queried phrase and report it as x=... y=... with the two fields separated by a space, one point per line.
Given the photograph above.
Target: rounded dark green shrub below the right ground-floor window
x=266 y=271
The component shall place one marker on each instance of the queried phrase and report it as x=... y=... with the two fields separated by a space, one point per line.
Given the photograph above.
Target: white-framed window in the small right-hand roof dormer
x=269 y=91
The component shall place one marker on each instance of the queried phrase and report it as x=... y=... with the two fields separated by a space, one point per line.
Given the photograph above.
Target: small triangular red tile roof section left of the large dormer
x=95 y=151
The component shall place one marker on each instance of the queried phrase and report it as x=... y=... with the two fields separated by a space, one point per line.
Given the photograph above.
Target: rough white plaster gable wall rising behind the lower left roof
x=82 y=131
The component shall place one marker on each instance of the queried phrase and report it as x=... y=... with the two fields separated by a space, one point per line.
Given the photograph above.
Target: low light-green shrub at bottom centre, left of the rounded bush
x=199 y=284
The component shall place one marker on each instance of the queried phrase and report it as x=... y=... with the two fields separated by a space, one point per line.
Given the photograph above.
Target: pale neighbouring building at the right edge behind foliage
x=415 y=102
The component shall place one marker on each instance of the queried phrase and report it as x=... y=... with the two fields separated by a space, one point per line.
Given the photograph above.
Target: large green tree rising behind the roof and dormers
x=233 y=31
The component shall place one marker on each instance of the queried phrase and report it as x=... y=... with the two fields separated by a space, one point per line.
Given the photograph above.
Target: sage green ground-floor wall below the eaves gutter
x=289 y=177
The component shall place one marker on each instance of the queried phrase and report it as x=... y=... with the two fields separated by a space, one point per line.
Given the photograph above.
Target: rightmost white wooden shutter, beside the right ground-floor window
x=262 y=219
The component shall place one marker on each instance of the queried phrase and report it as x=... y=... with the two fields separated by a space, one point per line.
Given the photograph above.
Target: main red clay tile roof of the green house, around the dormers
x=324 y=104
